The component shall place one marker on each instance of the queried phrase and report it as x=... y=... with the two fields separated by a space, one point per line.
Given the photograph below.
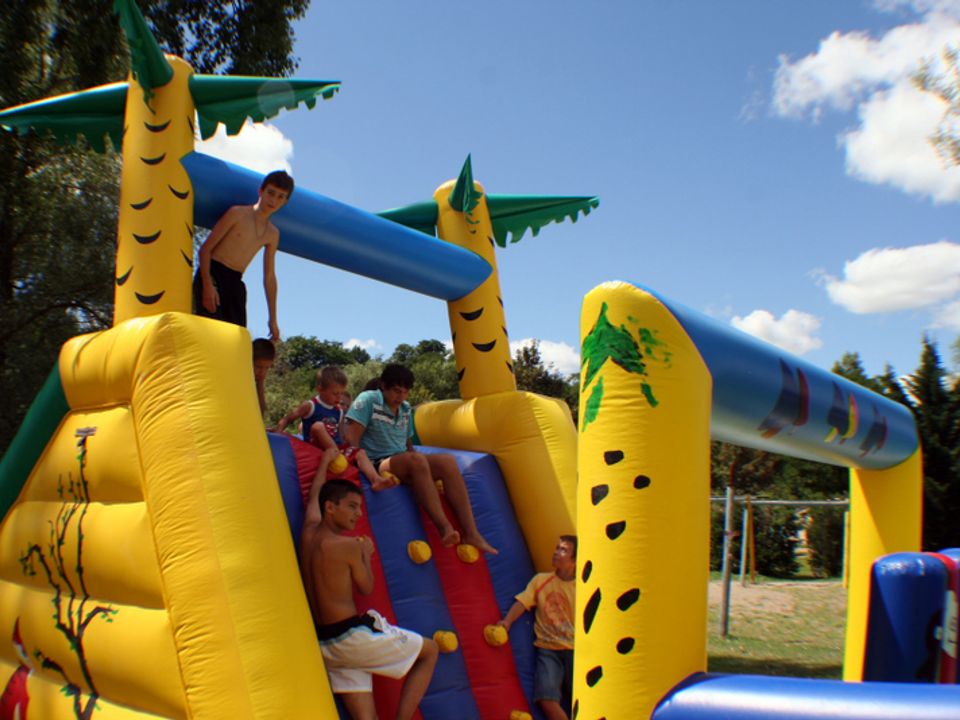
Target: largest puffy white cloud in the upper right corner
x=855 y=71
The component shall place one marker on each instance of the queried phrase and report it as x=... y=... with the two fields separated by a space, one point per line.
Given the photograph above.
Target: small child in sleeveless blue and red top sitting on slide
x=322 y=418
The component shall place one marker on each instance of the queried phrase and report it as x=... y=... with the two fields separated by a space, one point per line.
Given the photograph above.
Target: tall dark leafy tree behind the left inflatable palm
x=58 y=204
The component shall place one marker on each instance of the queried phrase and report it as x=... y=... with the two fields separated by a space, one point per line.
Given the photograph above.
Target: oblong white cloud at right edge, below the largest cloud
x=890 y=279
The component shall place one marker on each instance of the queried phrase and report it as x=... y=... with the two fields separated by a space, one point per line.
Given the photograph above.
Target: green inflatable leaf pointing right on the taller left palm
x=232 y=99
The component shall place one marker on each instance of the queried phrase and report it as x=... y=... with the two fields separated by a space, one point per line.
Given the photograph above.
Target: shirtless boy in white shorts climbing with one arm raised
x=354 y=647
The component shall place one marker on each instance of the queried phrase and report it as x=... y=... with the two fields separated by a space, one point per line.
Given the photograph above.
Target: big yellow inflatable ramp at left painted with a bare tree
x=146 y=565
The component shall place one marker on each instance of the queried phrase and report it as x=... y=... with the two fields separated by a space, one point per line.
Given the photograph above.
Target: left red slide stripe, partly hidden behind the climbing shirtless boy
x=386 y=691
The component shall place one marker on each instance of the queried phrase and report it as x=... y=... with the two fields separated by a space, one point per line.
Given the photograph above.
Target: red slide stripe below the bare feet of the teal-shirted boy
x=473 y=605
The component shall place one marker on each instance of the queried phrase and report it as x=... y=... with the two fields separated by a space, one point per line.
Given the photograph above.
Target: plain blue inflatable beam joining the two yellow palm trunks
x=326 y=231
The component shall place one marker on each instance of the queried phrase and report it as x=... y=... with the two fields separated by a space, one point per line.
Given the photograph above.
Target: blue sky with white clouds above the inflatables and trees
x=764 y=162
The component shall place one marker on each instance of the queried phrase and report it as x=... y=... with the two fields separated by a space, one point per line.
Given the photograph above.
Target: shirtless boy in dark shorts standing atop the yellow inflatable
x=218 y=289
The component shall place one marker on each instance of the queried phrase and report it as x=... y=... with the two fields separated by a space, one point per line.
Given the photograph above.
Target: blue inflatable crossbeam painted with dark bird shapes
x=767 y=399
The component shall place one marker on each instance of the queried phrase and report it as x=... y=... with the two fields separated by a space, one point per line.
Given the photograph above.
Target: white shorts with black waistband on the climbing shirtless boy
x=359 y=653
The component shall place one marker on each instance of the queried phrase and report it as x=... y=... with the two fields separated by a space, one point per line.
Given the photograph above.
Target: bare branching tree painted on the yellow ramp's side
x=74 y=611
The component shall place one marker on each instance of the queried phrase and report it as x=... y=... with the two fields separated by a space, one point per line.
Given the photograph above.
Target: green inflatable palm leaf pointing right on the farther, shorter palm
x=515 y=214
